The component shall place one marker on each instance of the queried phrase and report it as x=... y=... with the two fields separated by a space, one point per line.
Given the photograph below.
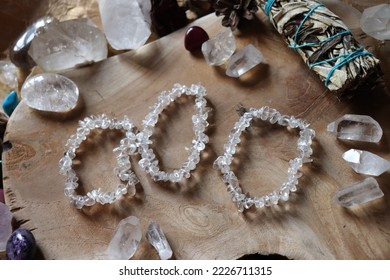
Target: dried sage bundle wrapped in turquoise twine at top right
x=321 y=39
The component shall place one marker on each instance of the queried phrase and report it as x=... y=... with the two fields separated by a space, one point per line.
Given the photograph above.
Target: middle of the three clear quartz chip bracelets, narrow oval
x=149 y=162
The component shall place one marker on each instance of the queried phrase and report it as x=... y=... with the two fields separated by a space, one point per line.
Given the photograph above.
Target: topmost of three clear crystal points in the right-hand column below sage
x=356 y=127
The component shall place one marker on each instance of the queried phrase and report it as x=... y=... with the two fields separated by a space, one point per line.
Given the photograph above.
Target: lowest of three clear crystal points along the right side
x=358 y=193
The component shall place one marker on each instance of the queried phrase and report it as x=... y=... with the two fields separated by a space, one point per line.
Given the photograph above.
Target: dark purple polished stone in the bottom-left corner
x=21 y=245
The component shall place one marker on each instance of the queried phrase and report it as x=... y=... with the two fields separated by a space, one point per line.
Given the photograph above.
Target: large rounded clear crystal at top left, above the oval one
x=68 y=44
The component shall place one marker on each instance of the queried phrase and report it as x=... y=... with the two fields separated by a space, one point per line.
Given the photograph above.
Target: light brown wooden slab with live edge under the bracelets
x=197 y=215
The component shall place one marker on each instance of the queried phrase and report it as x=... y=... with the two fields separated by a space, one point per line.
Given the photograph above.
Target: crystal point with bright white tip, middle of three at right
x=366 y=163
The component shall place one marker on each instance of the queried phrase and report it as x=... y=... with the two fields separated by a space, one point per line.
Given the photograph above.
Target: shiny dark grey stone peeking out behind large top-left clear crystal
x=18 y=53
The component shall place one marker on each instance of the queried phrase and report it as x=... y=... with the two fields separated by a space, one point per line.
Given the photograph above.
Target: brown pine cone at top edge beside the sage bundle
x=234 y=10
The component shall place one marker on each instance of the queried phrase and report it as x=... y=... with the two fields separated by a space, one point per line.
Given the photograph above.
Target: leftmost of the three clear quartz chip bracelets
x=122 y=152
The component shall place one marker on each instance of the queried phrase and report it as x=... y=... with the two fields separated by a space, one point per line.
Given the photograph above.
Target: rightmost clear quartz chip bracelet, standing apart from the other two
x=223 y=162
